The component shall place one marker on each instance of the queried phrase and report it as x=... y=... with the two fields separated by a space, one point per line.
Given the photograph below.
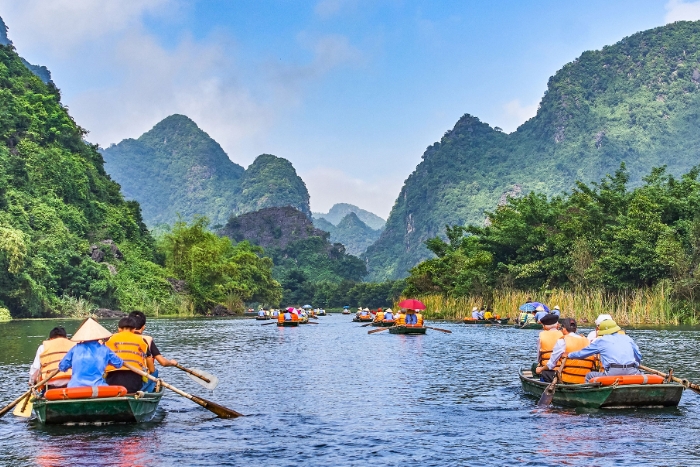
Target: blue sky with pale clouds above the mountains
x=352 y=92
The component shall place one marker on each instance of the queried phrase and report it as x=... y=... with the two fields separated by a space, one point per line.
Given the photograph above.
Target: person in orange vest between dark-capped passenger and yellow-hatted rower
x=573 y=371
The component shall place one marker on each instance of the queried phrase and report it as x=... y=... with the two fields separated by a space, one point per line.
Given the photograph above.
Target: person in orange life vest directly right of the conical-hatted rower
x=132 y=348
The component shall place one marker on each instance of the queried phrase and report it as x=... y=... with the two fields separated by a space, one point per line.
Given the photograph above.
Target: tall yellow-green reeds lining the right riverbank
x=642 y=306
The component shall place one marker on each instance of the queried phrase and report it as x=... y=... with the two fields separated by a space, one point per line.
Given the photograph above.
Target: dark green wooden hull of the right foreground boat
x=605 y=397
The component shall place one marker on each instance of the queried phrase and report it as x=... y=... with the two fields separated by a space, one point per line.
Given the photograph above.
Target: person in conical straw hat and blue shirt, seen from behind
x=89 y=357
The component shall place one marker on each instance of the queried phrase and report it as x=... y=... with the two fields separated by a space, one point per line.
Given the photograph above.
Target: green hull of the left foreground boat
x=127 y=409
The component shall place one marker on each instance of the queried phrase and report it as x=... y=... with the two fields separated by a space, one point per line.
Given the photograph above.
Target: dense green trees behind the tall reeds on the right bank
x=602 y=236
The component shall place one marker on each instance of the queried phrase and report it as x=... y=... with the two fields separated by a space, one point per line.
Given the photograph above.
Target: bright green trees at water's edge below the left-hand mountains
x=215 y=269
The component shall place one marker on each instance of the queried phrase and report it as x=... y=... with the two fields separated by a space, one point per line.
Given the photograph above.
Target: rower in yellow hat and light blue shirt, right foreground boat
x=619 y=355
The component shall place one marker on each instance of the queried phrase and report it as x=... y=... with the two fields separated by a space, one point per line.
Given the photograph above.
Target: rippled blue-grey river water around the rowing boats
x=330 y=394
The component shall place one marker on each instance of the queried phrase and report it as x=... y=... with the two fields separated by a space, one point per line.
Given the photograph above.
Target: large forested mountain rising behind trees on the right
x=637 y=102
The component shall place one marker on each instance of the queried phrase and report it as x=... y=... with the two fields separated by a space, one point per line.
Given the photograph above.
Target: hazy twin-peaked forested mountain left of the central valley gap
x=176 y=168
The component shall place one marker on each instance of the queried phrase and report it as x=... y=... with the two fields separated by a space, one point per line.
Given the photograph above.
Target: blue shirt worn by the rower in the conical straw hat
x=88 y=361
